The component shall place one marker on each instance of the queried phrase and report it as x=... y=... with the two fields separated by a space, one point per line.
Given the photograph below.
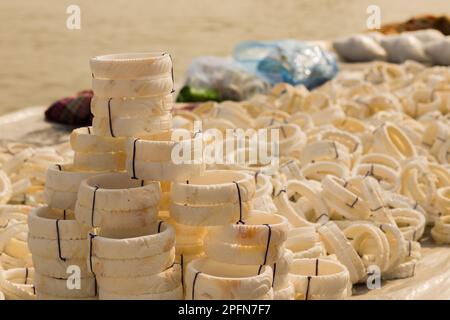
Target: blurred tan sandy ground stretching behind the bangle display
x=41 y=60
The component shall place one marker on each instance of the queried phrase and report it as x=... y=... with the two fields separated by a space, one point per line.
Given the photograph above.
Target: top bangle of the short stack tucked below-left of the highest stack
x=83 y=141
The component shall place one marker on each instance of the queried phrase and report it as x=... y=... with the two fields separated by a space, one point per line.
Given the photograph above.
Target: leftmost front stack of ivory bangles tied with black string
x=58 y=245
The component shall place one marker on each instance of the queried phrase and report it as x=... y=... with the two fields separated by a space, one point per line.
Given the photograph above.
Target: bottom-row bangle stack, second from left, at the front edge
x=138 y=268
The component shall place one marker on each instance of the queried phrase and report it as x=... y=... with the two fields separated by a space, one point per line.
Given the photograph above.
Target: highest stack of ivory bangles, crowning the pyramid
x=132 y=94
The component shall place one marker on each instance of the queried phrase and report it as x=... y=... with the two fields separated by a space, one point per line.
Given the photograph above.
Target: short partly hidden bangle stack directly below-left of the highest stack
x=95 y=152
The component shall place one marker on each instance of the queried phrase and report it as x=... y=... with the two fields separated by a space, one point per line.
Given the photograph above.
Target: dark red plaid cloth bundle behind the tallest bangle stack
x=74 y=111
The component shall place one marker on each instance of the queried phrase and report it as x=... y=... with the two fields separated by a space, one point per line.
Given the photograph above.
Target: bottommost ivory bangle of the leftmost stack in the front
x=58 y=287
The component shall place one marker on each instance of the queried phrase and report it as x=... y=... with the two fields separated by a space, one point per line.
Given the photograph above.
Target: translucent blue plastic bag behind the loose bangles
x=289 y=61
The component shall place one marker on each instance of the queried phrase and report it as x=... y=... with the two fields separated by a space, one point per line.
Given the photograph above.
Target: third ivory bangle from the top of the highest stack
x=146 y=107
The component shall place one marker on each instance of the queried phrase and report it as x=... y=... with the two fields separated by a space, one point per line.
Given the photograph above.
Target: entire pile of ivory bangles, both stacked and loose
x=362 y=169
